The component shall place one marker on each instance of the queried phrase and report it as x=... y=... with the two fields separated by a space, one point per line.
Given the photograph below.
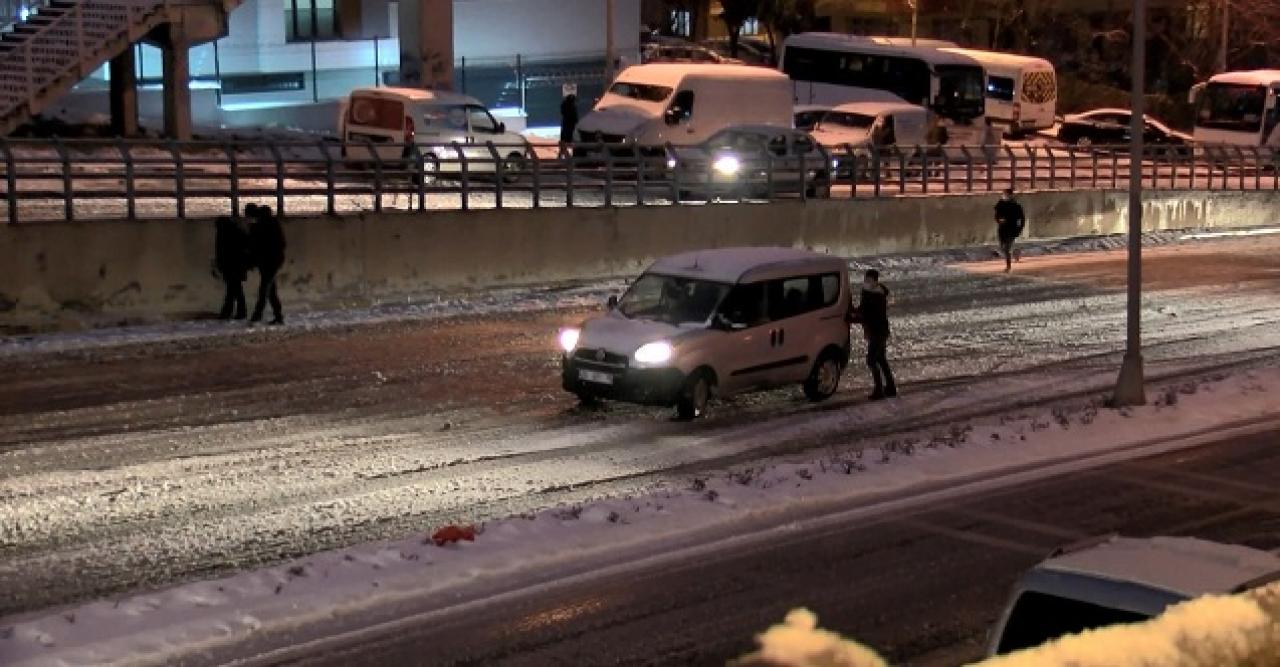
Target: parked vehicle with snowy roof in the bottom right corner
x=1121 y=581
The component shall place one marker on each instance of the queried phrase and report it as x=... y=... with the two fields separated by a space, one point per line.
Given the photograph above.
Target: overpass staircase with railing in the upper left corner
x=47 y=47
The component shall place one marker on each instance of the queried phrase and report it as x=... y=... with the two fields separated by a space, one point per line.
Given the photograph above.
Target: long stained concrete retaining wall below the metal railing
x=102 y=273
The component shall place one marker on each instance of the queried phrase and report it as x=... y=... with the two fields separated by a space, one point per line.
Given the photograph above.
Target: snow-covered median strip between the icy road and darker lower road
x=351 y=587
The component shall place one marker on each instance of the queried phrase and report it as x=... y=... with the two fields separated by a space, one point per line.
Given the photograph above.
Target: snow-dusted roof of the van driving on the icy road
x=733 y=266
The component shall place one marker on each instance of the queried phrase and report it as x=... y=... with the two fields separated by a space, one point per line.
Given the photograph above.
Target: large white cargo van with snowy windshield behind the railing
x=685 y=104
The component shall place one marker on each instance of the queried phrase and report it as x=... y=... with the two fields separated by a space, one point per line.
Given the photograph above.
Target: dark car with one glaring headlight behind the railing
x=752 y=162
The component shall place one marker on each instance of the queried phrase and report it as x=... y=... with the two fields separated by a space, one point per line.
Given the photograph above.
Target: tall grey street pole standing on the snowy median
x=1130 y=387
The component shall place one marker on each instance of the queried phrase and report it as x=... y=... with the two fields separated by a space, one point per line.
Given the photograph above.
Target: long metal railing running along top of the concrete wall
x=139 y=179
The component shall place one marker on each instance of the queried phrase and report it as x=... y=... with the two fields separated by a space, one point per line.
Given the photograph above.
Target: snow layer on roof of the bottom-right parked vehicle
x=1187 y=567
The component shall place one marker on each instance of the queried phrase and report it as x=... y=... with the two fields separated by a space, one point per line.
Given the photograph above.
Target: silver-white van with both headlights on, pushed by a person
x=716 y=323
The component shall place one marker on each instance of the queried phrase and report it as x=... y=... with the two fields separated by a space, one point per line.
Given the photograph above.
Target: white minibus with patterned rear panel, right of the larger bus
x=1022 y=92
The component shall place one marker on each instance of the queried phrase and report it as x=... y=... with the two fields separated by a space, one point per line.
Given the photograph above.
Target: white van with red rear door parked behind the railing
x=450 y=131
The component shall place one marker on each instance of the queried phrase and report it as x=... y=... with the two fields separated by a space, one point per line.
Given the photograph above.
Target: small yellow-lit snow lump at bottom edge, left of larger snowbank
x=801 y=643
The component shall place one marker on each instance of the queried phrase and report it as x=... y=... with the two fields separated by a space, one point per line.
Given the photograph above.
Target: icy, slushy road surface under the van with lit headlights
x=208 y=449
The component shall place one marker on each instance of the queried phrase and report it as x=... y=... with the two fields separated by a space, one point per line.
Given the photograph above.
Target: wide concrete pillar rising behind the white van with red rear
x=427 y=44
